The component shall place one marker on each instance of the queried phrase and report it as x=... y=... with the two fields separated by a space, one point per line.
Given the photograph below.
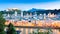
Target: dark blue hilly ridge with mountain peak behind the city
x=33 y=10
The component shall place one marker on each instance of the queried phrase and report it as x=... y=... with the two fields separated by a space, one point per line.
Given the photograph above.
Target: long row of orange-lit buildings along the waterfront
x=25 y=23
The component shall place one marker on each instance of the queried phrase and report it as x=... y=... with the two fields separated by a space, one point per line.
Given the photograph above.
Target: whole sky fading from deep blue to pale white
x=28 y=4
